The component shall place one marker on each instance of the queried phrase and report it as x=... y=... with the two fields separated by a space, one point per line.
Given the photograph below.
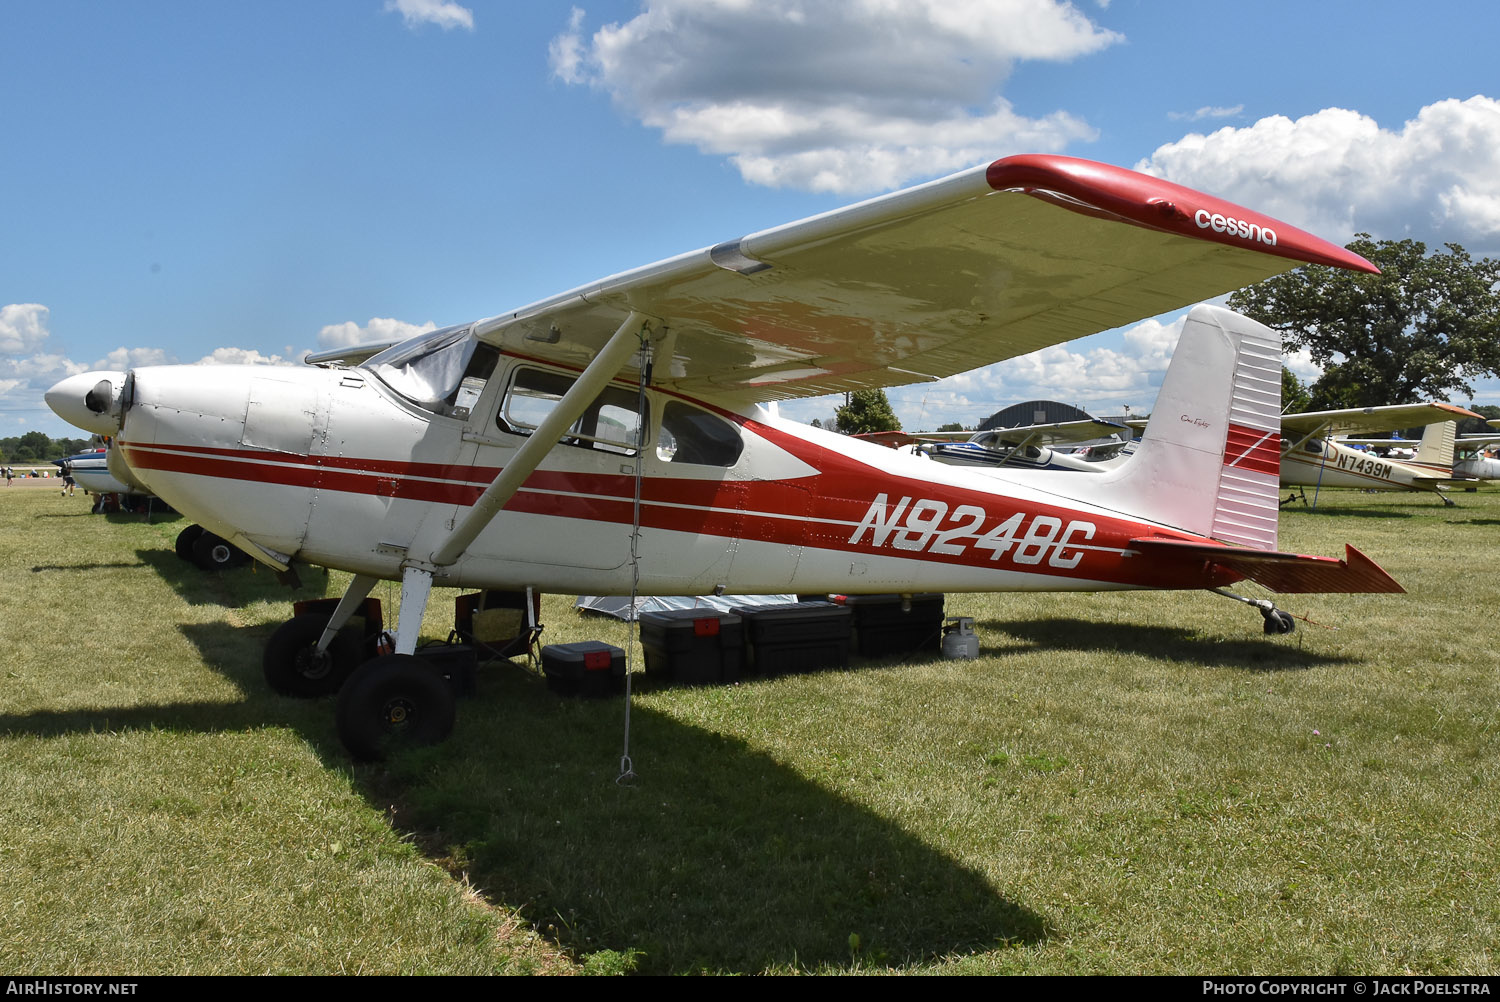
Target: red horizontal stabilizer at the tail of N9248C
x=1282 y=572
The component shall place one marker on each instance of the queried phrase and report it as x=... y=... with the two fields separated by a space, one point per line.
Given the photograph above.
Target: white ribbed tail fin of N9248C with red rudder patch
x=1210 y=460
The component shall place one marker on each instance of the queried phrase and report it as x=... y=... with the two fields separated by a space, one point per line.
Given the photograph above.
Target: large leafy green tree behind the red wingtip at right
x=1423 y=329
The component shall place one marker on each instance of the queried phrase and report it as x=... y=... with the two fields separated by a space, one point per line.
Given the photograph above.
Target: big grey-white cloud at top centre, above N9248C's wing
x=833 y=97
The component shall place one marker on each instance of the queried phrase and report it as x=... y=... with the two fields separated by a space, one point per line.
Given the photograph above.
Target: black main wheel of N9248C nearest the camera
x=392 y=703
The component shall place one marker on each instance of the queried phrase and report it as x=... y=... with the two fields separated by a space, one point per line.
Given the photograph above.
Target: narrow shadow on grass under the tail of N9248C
x=1171 y=644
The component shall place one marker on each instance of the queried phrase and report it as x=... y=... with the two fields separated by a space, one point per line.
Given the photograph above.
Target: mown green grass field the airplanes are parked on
x=1118 y=785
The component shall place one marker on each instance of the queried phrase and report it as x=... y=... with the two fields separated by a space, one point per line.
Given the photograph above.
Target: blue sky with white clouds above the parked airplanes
x=251 y=182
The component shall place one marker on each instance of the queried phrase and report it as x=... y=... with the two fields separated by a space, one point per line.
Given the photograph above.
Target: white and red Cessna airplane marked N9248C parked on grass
x=613 y=440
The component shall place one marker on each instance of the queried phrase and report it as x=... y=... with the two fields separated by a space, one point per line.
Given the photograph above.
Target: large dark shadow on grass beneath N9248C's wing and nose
x=716 y=859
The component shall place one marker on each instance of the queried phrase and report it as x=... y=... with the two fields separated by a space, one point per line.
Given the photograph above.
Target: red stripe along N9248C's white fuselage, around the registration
x=820 y=511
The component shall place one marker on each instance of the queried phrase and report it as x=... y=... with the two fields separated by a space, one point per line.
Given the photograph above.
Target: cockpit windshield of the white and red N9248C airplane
x=443 y=373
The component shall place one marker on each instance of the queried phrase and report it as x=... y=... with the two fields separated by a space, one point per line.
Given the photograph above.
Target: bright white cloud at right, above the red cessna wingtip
x=1337 y=173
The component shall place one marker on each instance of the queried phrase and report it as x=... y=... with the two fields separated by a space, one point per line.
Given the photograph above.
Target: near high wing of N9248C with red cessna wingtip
x=922 y=284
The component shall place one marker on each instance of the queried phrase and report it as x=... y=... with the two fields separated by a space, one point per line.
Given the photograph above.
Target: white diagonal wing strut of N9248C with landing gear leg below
x=416 y=581
